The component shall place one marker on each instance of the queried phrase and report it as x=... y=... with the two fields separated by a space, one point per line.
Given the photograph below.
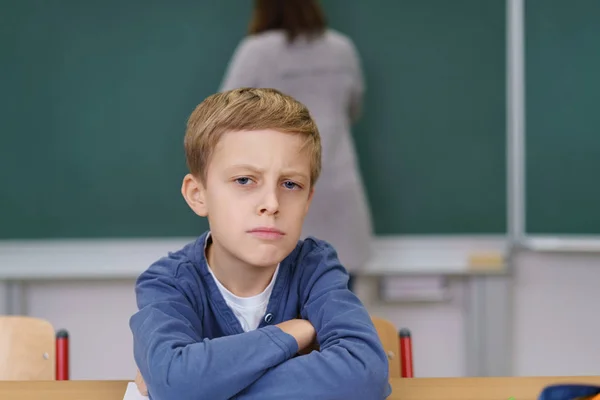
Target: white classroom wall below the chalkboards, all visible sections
x=555 y=330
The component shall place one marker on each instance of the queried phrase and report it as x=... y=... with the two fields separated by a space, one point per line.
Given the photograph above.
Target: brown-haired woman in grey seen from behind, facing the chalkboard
x=290 y=48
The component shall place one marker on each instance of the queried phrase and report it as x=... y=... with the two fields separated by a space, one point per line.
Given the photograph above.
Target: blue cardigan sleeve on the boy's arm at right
x=351 y=363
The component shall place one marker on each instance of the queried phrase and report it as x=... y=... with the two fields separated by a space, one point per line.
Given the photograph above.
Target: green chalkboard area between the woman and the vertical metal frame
x=433 y=141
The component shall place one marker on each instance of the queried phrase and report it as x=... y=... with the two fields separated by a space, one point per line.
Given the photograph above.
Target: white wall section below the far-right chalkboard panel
x=557 y=323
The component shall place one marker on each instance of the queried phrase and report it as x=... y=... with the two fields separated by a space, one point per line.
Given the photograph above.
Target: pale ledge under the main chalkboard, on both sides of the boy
x=127 y=258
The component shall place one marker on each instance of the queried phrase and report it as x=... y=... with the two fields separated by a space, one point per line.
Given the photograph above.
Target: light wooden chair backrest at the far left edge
x=27 y=349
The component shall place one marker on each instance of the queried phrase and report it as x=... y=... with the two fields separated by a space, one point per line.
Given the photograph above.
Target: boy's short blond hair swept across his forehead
x=247 y=109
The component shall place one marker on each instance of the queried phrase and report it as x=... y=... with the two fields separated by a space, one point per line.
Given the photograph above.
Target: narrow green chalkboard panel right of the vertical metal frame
x=563 y=116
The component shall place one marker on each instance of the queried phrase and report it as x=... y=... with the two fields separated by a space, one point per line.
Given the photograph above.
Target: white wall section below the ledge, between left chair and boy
x=96 y=314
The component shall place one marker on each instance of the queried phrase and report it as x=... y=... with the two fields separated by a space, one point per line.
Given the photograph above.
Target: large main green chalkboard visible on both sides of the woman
x=95 y=96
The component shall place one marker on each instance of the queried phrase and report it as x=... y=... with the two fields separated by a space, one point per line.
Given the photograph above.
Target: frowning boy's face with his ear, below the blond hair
x=256 y=195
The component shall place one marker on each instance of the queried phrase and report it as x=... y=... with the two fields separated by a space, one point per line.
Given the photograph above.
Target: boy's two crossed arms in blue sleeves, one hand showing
x=176 y=361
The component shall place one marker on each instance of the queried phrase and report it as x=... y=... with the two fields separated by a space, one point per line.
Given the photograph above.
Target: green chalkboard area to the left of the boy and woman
x=93 y=105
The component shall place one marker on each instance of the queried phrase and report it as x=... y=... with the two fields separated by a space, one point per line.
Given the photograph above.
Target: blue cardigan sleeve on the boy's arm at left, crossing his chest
x=175 y=358
